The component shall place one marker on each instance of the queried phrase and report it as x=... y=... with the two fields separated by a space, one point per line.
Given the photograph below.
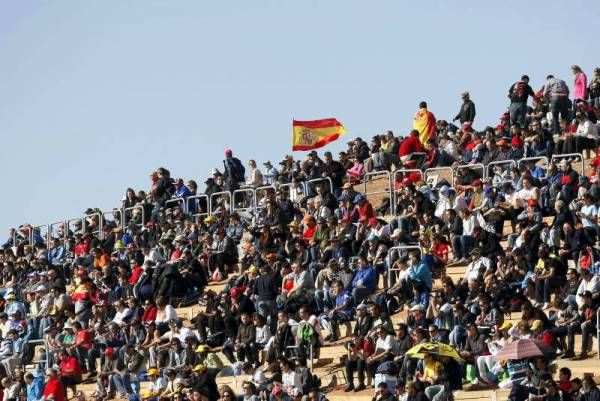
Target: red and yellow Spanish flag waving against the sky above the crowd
x=308 y=135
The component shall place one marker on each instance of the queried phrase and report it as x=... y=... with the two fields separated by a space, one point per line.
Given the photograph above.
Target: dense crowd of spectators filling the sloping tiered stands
x=311 y=254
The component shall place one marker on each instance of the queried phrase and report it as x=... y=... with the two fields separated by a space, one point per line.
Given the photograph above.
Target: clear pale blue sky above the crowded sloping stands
x=94 y=95
